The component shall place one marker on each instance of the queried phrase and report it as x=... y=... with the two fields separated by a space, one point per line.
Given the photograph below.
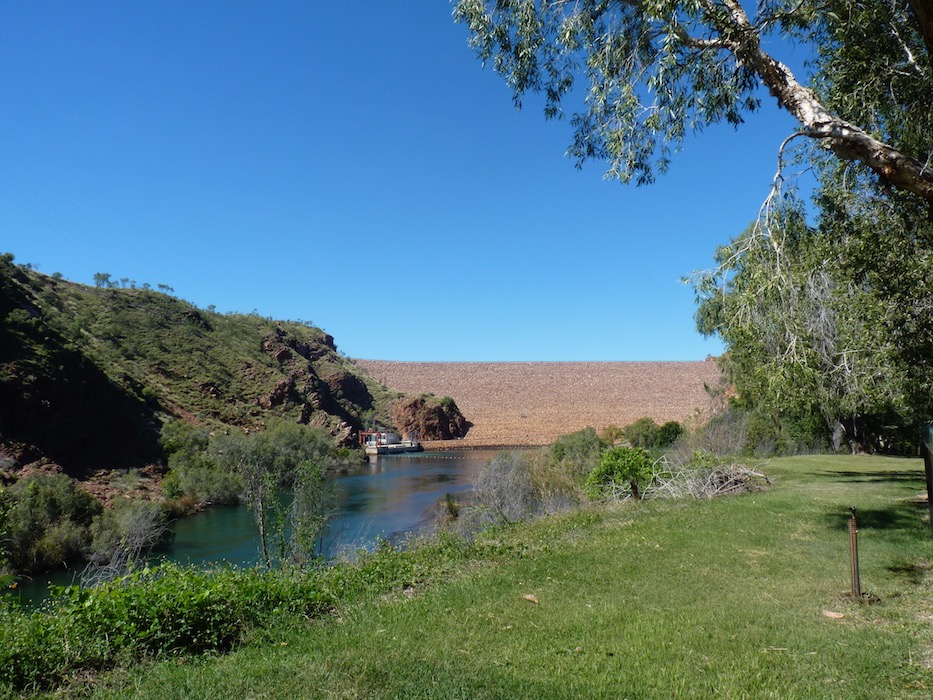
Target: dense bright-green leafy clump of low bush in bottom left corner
x=161 y=611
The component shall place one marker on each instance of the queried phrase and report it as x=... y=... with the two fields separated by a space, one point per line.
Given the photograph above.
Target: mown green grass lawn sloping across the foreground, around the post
x=726 y=598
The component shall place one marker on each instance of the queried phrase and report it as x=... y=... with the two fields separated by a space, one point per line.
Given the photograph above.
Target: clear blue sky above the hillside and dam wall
x=352 y=165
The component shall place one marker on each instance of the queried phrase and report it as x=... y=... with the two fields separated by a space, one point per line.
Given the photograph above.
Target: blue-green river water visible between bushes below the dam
x=384 y=499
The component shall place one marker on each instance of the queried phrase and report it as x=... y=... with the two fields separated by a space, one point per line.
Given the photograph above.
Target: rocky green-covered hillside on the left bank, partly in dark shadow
x=88 y=375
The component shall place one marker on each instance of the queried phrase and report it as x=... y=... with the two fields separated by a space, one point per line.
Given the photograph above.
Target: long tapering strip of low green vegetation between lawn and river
x=171 y=610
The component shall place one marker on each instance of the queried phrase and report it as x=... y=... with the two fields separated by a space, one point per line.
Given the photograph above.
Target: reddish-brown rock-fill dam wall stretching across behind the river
x=532 y=403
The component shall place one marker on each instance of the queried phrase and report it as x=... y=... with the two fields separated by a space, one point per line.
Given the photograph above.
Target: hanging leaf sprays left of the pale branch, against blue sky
x=646 y=85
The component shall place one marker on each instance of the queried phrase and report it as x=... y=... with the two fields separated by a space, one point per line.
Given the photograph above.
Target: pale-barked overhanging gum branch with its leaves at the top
x=654 y=70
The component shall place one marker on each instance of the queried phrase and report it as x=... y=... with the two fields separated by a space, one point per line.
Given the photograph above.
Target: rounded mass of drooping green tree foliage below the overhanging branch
x=812 y=317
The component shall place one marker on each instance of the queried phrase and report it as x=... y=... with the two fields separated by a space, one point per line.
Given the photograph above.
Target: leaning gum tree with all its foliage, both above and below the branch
x=833 y=319
